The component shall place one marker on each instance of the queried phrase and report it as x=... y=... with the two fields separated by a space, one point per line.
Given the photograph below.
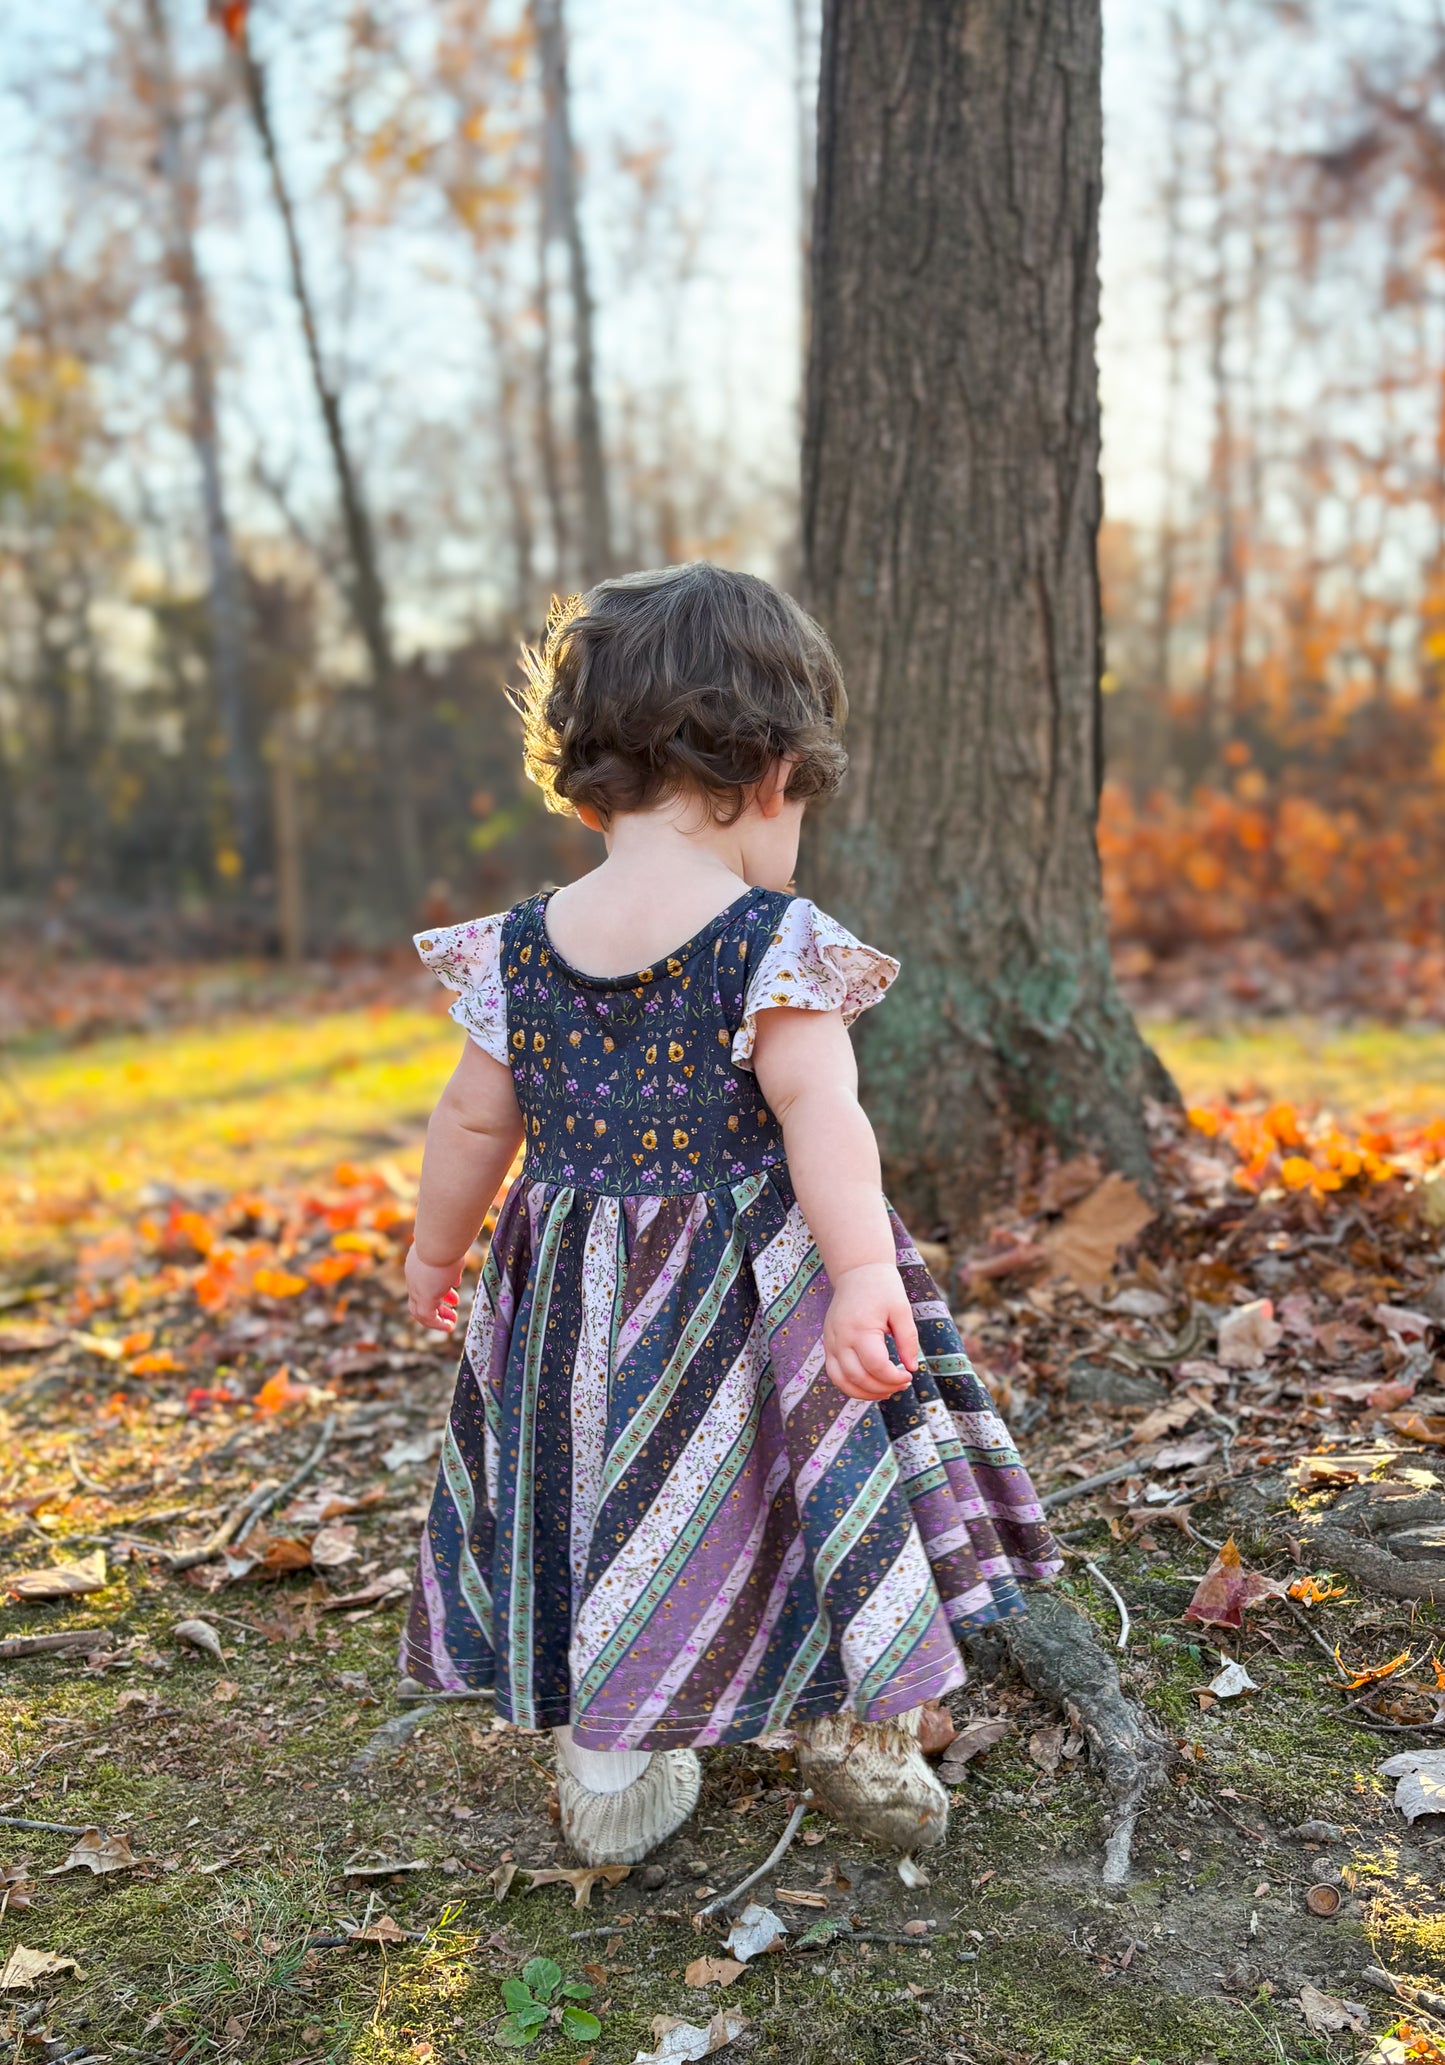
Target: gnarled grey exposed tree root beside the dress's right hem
x=1064 y=1661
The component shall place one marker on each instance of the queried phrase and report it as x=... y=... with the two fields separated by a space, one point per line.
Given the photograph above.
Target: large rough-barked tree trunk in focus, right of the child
x=951 y=495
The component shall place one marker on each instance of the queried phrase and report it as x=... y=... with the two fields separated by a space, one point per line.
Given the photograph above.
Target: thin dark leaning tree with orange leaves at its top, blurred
x=368 y=587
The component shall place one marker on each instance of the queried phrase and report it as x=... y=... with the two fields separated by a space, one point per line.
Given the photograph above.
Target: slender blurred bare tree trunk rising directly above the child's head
x=563 y=218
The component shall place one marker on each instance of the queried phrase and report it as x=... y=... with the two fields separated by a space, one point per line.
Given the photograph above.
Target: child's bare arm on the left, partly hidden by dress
x=474 y=1135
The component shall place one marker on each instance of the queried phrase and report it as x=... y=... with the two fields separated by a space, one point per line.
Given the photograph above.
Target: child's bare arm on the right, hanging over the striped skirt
x=806 y=1071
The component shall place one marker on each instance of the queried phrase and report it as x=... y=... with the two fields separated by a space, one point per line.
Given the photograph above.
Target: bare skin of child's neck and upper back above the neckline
x=668 y=875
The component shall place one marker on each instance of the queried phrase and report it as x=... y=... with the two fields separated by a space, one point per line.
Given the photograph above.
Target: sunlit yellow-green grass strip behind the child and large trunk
x=253 y=1102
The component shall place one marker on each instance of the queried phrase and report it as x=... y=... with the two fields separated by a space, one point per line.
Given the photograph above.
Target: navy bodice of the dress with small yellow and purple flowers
x=629 y=1083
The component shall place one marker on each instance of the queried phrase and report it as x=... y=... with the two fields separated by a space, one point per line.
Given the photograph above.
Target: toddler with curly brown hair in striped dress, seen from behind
x=686 y=1492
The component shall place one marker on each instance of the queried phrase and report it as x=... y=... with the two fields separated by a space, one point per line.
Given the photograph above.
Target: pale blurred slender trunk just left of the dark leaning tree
x=226 y=596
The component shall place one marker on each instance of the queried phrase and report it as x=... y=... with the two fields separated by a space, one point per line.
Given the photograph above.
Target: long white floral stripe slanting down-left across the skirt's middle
x=684 y=1488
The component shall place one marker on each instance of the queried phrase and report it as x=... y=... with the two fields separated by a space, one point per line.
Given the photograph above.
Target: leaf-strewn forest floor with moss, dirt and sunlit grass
x=201 y=1236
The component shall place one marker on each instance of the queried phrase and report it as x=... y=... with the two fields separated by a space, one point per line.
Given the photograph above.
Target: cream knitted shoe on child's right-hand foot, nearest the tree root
x=874 y=1777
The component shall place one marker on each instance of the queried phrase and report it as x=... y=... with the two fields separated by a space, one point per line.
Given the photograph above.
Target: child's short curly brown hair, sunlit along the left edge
x=688 y=678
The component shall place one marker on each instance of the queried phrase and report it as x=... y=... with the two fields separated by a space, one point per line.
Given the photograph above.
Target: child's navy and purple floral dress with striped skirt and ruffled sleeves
x=655 y=1517
